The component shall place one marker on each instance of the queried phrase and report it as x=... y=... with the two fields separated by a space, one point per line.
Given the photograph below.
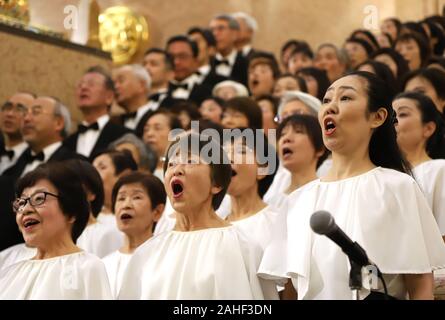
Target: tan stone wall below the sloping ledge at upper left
x=42 y=68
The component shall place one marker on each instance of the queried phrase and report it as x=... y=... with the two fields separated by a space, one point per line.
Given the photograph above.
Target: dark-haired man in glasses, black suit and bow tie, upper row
x=186 y=84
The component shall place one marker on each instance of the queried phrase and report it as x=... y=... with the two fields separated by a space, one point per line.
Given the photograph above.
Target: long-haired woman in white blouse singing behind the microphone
x=371 y=198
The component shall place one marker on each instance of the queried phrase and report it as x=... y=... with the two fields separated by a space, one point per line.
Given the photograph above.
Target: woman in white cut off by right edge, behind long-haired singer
x=421 y=137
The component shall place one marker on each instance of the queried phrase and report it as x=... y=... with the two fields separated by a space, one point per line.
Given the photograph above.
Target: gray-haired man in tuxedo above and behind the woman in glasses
x=45 y=124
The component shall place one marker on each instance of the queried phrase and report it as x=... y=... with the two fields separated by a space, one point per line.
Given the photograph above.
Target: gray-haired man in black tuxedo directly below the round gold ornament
x=132 y=83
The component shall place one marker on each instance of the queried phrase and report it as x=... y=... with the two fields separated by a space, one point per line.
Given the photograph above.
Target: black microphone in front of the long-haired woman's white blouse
x=323 y=223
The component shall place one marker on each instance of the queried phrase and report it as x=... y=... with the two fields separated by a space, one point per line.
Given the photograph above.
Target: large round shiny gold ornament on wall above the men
x=122 y=32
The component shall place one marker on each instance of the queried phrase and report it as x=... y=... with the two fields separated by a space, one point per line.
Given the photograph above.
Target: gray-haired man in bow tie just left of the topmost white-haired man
x=228 y=61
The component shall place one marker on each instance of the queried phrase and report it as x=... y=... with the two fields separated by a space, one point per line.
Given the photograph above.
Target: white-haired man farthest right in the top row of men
x=248 y=28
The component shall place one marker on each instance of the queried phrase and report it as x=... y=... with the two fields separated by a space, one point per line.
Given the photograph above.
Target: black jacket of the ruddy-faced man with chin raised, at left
x=110 y=133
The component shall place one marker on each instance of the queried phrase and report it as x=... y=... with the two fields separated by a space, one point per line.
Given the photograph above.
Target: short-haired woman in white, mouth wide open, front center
x=204 y=257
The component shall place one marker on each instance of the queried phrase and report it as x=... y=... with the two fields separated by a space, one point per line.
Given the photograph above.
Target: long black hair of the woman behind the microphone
x=383 y=148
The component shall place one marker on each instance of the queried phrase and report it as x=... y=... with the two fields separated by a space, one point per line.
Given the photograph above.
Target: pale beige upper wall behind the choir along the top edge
x=316 y=21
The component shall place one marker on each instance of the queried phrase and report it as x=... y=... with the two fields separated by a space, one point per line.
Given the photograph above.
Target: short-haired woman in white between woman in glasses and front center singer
x=138 y=200
